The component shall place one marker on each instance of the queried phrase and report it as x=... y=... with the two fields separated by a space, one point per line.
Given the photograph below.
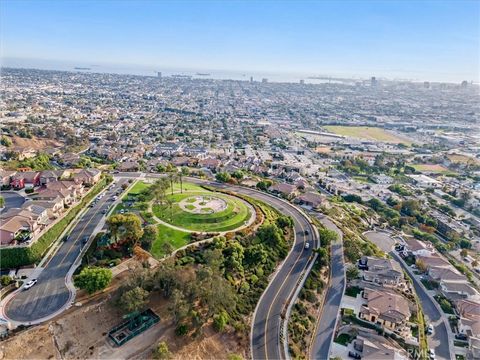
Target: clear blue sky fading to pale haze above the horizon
x=423 y=40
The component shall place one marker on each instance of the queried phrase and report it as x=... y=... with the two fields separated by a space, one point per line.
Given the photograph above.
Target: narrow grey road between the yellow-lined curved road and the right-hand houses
x=325 y=330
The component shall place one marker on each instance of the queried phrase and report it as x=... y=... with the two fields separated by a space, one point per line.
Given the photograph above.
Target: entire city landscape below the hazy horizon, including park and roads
x=238 y=219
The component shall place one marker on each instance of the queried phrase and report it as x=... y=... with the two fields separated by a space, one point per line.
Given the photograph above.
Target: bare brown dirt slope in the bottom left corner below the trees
x=81 y=333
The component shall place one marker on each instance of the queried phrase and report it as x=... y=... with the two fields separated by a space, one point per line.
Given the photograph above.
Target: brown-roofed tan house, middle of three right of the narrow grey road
x=387 y=309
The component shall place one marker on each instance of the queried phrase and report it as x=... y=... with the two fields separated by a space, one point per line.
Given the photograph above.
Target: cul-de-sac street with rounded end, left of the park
x=51 y=294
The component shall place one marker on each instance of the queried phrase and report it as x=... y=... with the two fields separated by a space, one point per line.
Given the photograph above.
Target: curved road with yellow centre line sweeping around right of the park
x=266 y=329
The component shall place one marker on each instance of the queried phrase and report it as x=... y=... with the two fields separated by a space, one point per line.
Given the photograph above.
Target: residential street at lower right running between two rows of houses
x=439 y=340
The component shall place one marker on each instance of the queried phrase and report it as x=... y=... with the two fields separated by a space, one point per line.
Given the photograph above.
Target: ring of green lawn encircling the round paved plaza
x=231 y=218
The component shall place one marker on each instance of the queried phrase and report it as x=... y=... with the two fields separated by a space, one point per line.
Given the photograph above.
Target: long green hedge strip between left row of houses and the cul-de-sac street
x=22 y=256
